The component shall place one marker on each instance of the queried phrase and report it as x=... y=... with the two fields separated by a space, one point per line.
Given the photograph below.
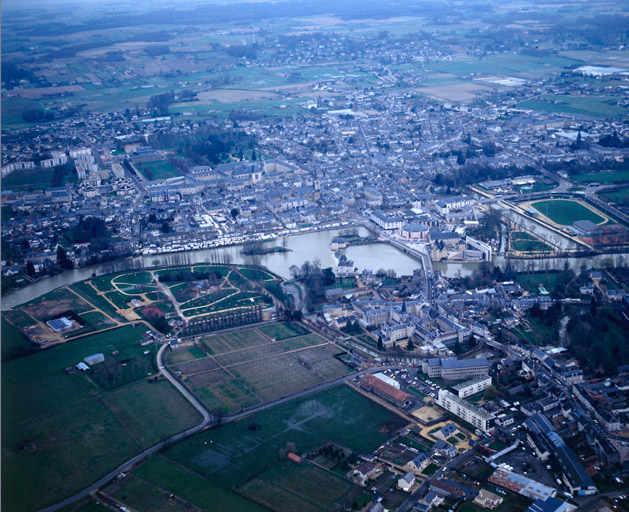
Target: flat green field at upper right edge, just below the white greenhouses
x=595 y=106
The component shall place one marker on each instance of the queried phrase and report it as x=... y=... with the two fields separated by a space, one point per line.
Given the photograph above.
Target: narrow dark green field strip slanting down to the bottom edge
x=193 y=488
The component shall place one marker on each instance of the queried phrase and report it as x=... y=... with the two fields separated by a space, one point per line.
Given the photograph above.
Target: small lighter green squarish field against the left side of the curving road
x=152 y=411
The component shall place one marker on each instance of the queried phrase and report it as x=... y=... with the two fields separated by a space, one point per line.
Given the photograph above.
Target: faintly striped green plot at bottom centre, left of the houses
x=286 y=486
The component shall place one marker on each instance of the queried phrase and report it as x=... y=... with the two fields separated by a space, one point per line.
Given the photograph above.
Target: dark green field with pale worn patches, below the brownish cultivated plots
x=233 y=454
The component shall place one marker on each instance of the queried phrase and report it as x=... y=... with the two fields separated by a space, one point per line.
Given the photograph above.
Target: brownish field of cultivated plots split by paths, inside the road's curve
x=243 y=368
